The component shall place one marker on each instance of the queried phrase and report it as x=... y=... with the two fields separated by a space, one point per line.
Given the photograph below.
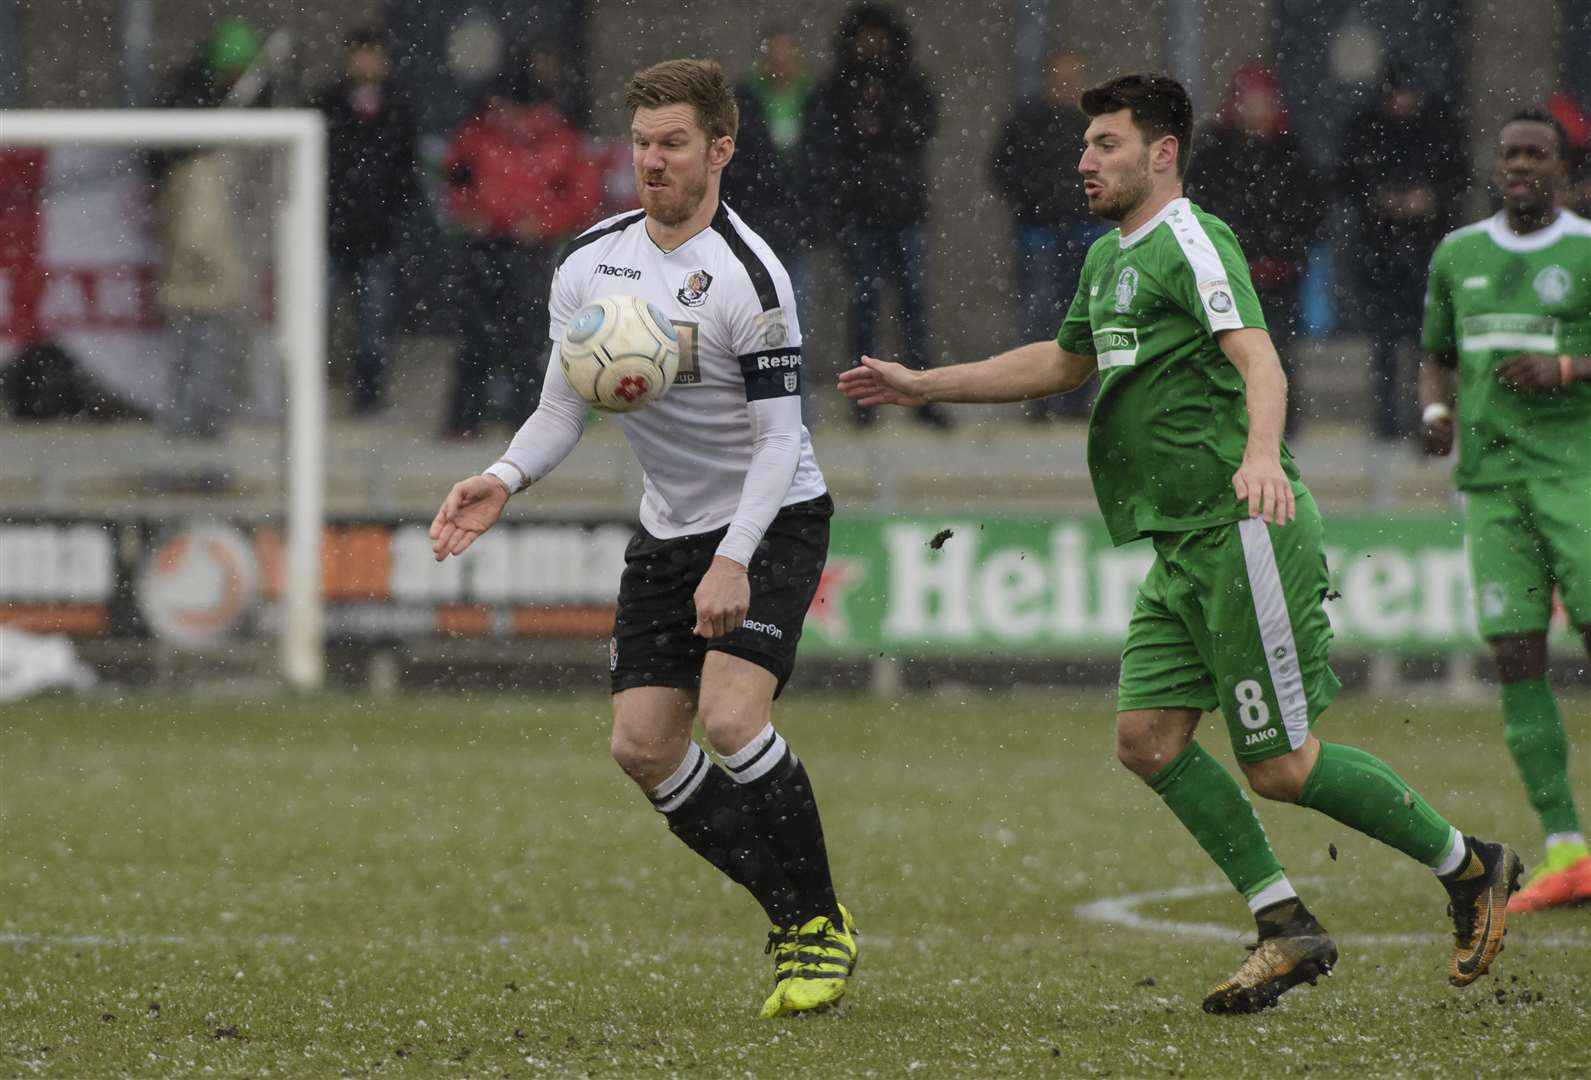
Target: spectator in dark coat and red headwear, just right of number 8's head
x=1253 y=174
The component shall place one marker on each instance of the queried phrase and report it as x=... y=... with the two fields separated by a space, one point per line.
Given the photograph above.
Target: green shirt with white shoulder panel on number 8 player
x=1172 y=421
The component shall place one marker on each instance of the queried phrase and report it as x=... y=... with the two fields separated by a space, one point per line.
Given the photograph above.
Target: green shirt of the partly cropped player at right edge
x=1495 y=295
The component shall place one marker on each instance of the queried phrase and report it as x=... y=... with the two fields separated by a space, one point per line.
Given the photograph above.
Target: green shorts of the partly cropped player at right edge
x=1523 y=540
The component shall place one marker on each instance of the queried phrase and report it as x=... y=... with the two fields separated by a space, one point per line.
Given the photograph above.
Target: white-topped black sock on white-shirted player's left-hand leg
x=709 y=812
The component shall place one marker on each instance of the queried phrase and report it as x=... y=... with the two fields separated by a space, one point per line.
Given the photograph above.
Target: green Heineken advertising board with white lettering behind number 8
x=1054 y=586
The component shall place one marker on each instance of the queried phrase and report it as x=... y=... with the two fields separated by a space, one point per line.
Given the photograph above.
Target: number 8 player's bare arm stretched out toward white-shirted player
x=1030 y=371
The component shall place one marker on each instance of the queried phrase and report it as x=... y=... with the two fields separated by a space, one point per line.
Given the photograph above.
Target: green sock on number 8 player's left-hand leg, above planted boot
x=1210 y=804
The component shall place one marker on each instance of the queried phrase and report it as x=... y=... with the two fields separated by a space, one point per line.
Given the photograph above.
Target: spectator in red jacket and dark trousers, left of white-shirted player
x=518 y=181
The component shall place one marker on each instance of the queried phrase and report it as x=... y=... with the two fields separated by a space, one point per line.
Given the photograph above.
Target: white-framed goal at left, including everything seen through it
x=107 y=273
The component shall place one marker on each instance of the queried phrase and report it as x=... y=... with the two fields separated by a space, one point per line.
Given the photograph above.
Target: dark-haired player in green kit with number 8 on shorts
x=1186 y=451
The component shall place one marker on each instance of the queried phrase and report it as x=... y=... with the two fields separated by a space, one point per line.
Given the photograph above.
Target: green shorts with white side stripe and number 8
x=1232 y=618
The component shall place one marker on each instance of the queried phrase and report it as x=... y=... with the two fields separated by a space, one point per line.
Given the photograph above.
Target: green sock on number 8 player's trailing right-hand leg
x=1363 y=793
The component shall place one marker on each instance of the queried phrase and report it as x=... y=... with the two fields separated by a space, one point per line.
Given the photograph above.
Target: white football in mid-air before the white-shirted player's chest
x=620 y=354
